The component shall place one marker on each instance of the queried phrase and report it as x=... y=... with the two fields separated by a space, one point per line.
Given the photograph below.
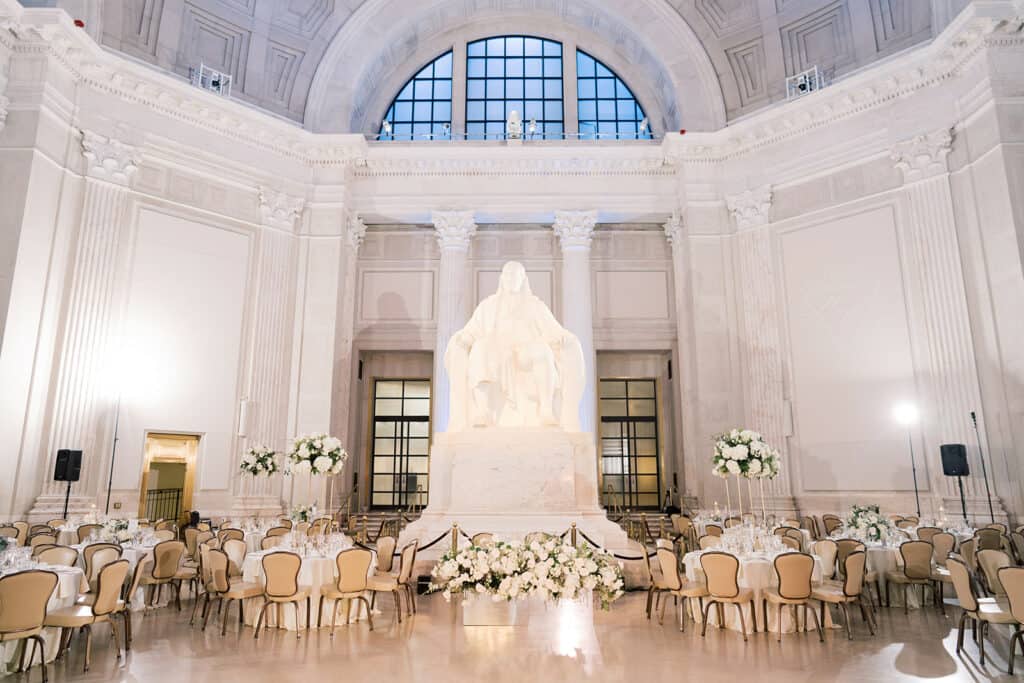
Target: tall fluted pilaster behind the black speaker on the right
x=947 y=374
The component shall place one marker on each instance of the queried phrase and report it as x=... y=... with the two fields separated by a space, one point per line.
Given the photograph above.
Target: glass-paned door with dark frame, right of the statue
x=630 y=463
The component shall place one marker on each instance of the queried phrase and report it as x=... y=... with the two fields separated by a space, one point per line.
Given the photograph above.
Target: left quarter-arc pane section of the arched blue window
x=423 y=108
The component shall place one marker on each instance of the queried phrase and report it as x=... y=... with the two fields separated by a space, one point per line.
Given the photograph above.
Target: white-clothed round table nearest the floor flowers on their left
x=317 y=571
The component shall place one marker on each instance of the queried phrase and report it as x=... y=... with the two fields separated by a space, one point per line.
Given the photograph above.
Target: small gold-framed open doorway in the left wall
x=168 y=478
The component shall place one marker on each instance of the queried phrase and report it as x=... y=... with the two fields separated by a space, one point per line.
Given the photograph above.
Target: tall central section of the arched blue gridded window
x=515 y=73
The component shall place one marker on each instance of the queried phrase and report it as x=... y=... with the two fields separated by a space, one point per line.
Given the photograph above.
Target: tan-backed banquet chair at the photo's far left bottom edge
x=23 y=610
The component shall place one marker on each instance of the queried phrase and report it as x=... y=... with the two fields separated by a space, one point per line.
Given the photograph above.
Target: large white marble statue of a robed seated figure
x=514 y=365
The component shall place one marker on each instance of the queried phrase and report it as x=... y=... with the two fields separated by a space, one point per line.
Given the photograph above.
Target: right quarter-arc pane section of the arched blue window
x=608 y=108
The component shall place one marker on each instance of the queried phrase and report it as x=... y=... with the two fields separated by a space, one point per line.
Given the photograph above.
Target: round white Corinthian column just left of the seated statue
x=455 y=233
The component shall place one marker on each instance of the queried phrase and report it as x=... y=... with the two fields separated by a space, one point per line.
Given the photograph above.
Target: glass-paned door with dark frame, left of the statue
x=401 y=444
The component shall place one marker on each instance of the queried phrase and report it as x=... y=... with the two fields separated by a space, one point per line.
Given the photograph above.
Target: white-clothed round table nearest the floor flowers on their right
x=757 y=572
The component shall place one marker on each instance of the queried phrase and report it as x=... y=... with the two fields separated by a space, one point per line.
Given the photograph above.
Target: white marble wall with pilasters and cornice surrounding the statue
x=827 y=255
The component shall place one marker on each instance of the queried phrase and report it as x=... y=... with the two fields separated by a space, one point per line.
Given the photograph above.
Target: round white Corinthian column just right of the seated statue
x=576 y=231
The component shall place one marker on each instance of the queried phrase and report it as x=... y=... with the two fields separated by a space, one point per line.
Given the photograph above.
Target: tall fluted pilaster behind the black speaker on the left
x=86 y=395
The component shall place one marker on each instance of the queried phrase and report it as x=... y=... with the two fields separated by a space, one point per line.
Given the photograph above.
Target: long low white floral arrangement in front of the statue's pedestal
x=552 y=569
